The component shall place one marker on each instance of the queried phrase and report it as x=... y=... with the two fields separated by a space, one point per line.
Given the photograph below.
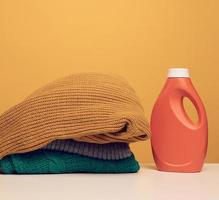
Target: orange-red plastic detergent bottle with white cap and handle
x=178 y=144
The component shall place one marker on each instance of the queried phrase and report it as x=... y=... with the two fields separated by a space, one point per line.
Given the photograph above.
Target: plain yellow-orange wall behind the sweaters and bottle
x=46 y=39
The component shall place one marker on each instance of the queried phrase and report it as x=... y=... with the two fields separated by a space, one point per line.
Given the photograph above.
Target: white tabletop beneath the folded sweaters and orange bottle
x=148 y=184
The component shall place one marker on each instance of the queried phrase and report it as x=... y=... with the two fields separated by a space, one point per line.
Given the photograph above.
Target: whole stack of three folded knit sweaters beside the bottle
x=81 y=123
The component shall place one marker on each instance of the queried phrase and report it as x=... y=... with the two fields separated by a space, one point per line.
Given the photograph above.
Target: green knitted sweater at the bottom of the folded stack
x=56 y=162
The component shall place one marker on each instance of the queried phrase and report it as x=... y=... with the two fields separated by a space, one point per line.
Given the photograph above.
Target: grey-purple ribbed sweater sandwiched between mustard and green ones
x=110 y=151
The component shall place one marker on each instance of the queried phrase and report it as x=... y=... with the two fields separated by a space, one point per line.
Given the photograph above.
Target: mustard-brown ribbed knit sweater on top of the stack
x=85 y=107
